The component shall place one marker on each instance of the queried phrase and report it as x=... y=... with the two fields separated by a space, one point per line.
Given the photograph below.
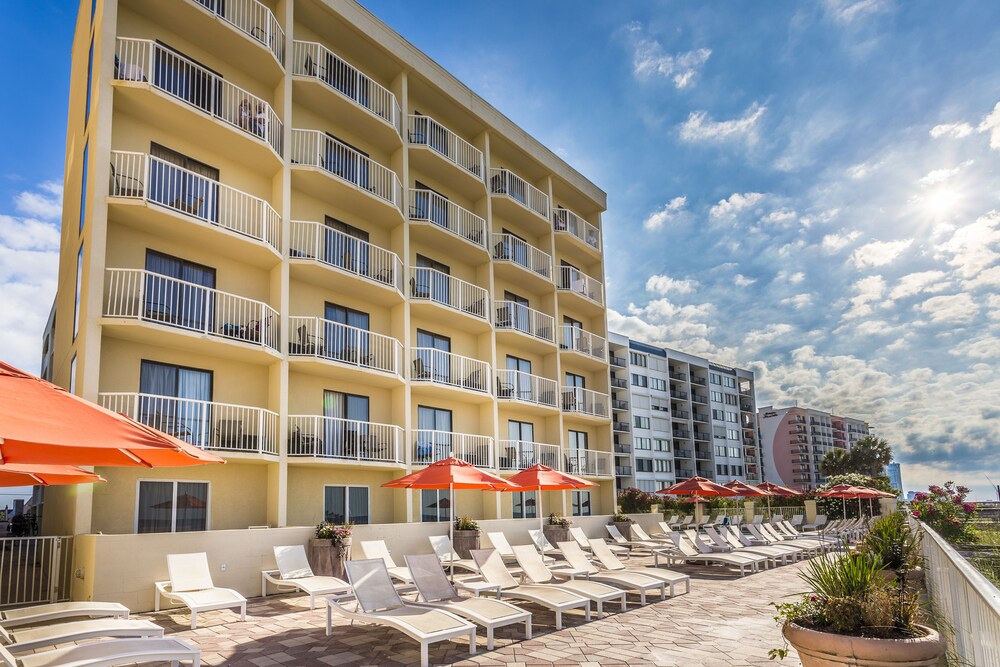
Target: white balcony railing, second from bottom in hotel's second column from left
x=333 y=341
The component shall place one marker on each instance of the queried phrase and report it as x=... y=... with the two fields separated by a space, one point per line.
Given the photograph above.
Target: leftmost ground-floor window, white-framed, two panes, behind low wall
x=171 y=506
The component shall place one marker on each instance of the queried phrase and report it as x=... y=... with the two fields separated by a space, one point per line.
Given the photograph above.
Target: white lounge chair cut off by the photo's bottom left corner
x=109 y=652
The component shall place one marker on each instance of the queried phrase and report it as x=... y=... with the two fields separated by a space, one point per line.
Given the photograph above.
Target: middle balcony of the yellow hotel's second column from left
x=317 y=249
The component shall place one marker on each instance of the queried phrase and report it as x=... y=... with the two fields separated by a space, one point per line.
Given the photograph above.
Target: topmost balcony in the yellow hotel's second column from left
x=331 y=86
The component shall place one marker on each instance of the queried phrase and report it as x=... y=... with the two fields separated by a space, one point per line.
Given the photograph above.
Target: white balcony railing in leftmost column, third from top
x=141 y=176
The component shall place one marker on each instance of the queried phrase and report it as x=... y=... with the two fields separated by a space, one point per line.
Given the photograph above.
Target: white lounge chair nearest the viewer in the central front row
x=379 y=603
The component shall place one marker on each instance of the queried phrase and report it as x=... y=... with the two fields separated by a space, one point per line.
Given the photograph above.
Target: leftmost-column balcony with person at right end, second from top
x=143 y=66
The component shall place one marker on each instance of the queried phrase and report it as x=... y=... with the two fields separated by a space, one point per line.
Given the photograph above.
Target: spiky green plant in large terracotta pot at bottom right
x=852 y=616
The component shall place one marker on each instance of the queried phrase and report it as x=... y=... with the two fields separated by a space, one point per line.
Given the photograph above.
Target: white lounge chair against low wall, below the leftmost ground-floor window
x=191 y=585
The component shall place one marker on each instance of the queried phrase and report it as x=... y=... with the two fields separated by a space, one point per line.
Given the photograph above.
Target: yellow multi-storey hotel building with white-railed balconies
x=291 y=238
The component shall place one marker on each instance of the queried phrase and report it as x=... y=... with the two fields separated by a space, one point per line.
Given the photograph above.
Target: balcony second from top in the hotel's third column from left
x=434 y=214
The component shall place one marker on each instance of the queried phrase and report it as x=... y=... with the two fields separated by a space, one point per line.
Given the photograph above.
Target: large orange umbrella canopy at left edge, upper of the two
x=43 y=423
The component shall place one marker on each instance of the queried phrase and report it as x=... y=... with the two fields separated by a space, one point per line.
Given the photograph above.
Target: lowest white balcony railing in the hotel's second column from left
x=336 y=438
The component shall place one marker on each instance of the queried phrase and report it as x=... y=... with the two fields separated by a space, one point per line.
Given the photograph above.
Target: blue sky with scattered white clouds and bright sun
x=813 y=185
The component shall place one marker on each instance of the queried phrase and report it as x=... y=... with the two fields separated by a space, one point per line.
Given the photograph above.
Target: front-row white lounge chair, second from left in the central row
x=436 y=592
